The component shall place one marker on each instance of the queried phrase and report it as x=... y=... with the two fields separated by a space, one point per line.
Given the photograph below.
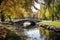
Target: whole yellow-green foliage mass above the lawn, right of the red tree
x=53 y=7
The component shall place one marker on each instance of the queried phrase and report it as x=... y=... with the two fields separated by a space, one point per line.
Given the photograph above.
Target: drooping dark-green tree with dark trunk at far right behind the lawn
x=53 y=8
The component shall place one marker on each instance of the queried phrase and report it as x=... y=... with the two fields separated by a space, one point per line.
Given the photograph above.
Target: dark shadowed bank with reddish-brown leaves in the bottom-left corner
x=6 y=34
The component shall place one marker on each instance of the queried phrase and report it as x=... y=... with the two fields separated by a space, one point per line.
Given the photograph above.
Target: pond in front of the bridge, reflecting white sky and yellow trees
x=40 y=34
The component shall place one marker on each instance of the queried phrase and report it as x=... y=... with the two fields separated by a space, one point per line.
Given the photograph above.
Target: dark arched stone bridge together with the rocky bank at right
x=34 y=23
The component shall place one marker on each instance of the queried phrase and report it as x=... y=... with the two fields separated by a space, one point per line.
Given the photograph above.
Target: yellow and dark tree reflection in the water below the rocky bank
x=48 y=34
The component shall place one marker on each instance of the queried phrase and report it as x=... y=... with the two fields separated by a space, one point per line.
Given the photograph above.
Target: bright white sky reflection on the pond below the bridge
x=33 y=34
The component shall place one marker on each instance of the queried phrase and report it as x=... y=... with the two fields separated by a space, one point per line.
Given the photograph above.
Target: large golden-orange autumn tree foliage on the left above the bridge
x=17 y=8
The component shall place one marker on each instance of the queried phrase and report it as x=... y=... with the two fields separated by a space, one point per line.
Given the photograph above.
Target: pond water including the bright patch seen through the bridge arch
x=36 y=32
